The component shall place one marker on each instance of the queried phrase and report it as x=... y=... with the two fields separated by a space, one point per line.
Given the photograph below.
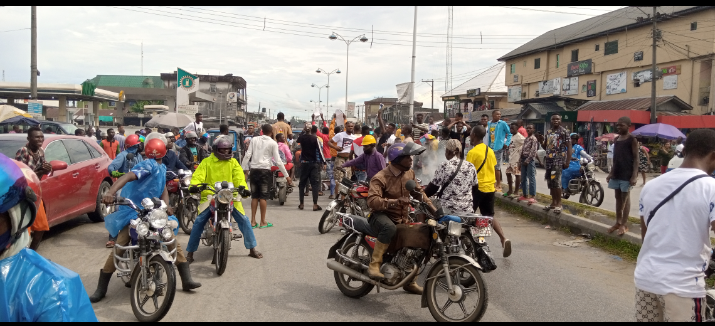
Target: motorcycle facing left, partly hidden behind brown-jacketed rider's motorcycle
x=351 y=198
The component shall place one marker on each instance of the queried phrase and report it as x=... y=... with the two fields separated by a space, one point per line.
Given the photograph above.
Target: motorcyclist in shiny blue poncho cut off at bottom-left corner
x=32 y=288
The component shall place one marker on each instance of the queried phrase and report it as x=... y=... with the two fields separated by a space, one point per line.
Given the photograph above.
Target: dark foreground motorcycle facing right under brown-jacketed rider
x=454 y=279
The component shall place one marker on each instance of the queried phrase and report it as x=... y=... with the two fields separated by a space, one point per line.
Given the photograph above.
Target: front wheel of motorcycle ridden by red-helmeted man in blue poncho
x=161 y=278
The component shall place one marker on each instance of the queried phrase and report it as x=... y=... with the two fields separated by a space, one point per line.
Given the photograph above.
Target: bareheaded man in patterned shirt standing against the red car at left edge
x=33 y=156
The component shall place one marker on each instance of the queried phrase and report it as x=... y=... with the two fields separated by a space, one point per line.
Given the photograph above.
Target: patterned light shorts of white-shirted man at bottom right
x=652 y=307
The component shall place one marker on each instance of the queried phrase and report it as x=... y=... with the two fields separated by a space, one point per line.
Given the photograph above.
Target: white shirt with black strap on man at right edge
x=676 y=247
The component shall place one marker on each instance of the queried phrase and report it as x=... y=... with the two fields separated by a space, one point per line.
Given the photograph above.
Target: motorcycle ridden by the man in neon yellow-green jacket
x=218 y=232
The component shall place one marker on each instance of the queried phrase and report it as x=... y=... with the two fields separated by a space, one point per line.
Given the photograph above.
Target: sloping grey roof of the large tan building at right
x=609 y=22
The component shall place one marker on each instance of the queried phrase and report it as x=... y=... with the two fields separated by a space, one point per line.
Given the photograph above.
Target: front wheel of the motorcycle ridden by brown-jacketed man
x=464 y=307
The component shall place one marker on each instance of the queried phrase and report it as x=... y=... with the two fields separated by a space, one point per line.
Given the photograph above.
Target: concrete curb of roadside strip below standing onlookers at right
x=577 y=224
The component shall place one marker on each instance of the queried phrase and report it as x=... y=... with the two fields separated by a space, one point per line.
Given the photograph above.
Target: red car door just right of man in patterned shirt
x=58 y=188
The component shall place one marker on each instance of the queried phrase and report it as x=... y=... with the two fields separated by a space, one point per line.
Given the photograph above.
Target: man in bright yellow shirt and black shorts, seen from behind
x=484 y=160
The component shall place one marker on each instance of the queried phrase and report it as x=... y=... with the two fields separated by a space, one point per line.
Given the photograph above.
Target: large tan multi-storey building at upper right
x=608 y=58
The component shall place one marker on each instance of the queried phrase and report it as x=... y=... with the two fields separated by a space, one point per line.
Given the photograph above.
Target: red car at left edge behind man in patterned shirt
x=79 y=177
